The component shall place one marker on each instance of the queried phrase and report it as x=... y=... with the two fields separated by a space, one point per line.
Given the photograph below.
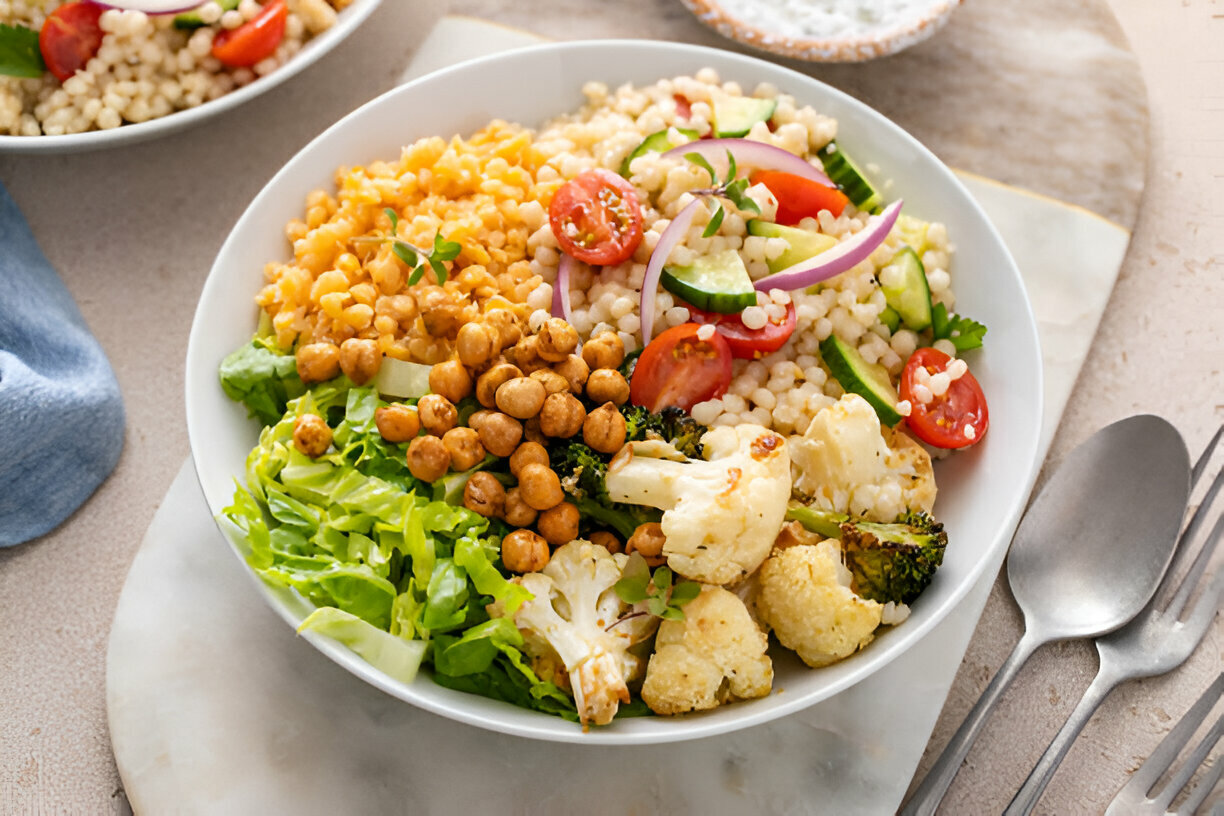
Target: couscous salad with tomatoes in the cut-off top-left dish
x=84 y=67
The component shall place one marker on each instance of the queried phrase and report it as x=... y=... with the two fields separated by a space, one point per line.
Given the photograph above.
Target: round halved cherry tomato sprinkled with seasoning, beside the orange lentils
x=597 y=218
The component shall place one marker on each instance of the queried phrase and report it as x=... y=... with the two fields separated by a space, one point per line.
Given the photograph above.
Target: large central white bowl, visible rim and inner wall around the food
x=981 y=492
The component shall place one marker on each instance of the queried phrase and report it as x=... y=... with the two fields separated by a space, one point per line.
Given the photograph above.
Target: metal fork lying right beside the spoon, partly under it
x=1157 y=640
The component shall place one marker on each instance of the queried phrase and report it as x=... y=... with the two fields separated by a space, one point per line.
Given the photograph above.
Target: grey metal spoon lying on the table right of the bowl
x=1088 y=557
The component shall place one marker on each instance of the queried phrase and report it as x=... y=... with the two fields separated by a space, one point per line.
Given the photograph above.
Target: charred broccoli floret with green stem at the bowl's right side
x=890 y=562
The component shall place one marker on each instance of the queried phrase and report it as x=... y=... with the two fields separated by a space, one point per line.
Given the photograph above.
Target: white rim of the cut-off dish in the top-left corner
x=347 y=23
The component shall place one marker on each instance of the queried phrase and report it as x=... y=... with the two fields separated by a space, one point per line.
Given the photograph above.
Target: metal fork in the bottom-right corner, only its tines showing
x=1134 y=799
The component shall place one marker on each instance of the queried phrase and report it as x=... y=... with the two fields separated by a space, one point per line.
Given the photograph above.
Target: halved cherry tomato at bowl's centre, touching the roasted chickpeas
x=682 y=370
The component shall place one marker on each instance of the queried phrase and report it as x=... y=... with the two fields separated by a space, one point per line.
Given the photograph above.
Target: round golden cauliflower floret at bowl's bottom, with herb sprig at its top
x=714 y=656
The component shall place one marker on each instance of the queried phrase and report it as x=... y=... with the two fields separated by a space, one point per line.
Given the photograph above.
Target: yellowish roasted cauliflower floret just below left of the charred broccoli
x=805 y=598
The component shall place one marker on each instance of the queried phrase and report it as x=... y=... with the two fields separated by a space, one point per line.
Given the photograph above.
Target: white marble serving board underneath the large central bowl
x=216 y=707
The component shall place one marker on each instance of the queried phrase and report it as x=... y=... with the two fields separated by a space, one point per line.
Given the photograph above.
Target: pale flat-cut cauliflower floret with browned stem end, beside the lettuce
x=570 y=621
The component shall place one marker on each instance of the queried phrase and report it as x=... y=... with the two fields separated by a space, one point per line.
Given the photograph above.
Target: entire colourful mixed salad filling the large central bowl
x=593 y=409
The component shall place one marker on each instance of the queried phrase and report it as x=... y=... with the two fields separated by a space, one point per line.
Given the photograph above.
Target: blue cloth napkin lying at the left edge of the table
x=62 y=417
